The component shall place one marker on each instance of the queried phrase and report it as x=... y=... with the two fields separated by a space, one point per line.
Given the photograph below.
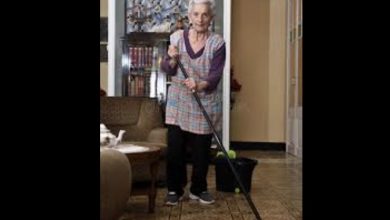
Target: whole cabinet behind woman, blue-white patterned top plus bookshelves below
x=148 y=25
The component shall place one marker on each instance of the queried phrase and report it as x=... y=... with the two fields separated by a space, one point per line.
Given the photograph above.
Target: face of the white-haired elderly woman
x=200 y=17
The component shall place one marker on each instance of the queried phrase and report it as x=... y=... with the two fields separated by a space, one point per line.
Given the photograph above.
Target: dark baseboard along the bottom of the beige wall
x=239 y=145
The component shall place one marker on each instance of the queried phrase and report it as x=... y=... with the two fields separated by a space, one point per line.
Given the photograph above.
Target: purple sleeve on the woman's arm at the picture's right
x=216 y=69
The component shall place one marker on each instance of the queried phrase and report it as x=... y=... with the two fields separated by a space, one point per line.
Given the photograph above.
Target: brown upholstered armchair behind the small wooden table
x=142 y=119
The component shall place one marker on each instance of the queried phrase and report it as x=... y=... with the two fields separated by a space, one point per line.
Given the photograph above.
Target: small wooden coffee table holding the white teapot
x=147 y=155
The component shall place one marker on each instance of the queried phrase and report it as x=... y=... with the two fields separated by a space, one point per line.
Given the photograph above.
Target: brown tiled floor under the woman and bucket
x=276 y=192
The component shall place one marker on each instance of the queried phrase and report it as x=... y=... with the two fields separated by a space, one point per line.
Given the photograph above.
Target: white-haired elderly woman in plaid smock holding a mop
x=202 y=54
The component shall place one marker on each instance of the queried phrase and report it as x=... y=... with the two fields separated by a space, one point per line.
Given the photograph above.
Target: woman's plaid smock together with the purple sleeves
x=182 y=109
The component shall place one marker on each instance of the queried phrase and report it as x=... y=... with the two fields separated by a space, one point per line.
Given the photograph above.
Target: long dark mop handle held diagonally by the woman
x=219 y=143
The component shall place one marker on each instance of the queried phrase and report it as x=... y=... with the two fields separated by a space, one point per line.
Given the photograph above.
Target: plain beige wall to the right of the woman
x=258 y=57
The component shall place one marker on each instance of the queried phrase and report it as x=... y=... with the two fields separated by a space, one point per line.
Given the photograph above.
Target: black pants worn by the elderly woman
x=200 y=144
